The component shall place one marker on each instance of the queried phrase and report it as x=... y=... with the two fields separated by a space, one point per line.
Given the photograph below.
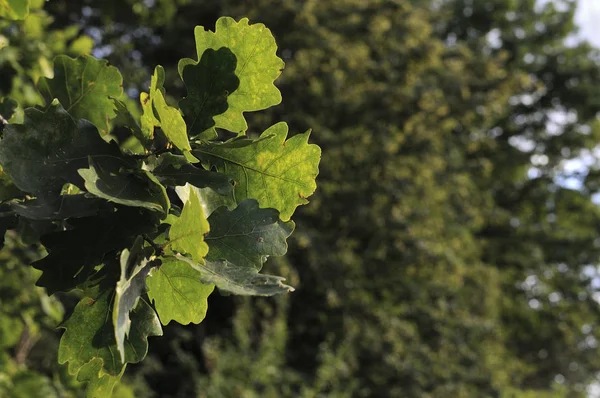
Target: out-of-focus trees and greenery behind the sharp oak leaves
x=450 y=249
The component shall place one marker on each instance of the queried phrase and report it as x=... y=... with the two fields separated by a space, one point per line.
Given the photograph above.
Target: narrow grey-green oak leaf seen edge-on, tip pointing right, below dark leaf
x=233 y=279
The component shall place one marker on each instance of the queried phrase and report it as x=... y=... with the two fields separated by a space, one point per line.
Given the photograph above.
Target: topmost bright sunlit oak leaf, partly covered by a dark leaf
x=257 y=67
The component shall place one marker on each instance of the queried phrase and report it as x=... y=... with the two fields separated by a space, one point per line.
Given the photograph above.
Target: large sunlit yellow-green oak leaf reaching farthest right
x=277 y=173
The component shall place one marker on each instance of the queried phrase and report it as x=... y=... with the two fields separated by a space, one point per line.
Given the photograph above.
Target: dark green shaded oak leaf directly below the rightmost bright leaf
x=247 y=236
